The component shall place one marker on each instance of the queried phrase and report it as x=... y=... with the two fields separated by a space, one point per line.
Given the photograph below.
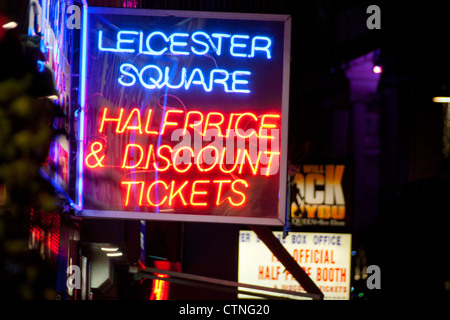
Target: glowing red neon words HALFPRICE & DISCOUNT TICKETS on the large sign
x=183 y=186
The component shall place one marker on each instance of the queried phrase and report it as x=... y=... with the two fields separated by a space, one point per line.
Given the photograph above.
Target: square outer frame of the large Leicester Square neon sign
x=280 y=220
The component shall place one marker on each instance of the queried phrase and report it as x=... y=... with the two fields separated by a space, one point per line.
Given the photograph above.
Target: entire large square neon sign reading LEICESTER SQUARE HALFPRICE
x=184 y=116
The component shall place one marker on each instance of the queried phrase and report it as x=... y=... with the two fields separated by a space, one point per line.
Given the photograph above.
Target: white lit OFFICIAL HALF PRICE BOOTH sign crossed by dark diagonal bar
x=325 y=257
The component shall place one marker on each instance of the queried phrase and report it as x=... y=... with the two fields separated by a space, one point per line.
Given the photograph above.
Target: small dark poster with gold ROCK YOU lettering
x=318 y=196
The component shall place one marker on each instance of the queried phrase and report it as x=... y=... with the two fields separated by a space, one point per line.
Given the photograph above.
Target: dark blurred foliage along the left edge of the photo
x=25 y=136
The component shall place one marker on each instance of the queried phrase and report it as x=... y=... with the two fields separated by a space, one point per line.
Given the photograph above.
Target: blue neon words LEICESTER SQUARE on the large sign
x=157 y=43
